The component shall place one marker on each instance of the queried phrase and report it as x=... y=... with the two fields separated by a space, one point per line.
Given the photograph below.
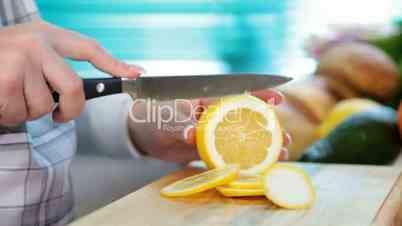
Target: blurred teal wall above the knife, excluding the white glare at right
x=245 y=35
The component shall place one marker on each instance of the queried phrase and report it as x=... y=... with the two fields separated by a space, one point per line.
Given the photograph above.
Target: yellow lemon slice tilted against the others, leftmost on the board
x=201 y=182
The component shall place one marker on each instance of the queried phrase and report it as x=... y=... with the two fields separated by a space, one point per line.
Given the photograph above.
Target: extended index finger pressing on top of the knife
x=73 y=45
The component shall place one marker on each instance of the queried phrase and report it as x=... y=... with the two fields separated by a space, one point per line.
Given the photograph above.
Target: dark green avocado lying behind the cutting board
x=368 y=137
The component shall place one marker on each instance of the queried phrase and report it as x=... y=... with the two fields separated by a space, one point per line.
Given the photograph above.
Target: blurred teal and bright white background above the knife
x=211 y=36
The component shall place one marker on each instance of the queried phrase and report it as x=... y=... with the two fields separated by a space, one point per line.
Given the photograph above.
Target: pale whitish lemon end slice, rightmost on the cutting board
x=289 y=187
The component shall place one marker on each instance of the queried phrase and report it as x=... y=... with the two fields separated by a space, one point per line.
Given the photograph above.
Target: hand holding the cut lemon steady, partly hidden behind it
x=174 y=140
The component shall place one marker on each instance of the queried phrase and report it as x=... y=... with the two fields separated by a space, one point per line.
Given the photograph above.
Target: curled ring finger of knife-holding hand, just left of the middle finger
x=38 y=97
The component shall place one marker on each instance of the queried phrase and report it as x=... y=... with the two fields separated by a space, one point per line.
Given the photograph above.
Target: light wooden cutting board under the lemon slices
x=347 y=196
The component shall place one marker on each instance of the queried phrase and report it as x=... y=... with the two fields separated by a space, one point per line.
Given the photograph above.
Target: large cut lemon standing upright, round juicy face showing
x=241 y=130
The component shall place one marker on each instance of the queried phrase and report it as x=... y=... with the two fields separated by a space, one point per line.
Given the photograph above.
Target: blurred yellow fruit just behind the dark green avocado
x=342 y=111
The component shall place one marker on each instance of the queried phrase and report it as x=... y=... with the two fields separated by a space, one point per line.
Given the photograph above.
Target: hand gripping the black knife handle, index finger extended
x=32 y=67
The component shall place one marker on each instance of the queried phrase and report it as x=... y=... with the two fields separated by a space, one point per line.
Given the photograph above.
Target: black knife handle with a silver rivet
x=98 y=87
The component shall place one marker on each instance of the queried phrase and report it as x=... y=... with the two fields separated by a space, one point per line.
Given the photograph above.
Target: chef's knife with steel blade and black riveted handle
x=181 y=87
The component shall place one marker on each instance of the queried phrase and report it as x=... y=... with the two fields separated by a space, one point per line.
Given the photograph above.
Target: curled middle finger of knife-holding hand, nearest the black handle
x=64 y=81
